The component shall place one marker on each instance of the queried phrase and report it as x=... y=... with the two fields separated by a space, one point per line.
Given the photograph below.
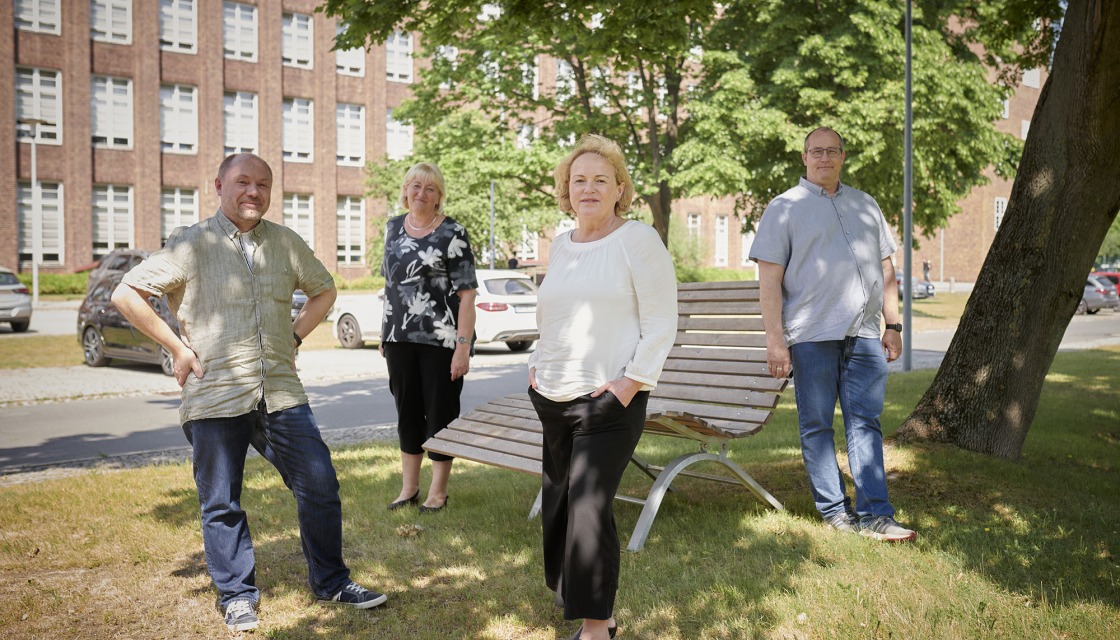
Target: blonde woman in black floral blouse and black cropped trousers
x=428 y=327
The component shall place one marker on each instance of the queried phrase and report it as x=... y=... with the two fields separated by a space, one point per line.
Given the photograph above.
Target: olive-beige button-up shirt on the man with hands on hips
x=236 y=318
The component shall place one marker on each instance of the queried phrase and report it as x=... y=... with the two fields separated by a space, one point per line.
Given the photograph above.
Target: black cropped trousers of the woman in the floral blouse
x=427 y=398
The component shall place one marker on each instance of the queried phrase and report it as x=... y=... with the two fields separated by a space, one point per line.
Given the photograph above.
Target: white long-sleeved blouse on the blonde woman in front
x=606 y=309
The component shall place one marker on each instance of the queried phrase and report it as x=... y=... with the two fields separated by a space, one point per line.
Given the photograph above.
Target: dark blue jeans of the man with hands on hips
x=291 y=441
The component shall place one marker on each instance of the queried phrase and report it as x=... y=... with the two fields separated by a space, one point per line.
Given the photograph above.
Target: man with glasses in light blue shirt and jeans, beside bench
x=826 y=282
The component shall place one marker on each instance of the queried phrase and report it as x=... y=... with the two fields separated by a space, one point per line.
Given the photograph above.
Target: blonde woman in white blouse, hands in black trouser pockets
x=608 y=318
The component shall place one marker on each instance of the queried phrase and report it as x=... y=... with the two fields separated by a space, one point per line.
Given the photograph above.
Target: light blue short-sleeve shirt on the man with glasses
x=833 y=249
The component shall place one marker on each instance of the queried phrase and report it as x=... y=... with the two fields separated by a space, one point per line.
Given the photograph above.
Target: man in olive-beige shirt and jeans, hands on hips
x=230 y=280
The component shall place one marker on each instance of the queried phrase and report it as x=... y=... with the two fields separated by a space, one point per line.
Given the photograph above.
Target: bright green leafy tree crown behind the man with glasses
x=777 y=69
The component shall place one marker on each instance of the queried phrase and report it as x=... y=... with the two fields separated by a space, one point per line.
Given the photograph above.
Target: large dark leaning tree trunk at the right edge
x=1065 y=199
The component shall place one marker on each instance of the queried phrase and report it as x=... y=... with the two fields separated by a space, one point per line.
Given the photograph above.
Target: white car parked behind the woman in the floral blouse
x=506 y=311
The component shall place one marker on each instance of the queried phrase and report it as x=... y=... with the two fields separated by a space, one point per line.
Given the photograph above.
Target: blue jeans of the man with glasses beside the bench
x=855 y=372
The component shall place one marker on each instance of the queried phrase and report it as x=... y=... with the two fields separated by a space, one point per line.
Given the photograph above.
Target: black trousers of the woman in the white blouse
x=589 y=442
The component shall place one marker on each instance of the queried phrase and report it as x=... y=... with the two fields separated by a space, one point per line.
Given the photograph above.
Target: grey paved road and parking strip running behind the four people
x=51 y=416
